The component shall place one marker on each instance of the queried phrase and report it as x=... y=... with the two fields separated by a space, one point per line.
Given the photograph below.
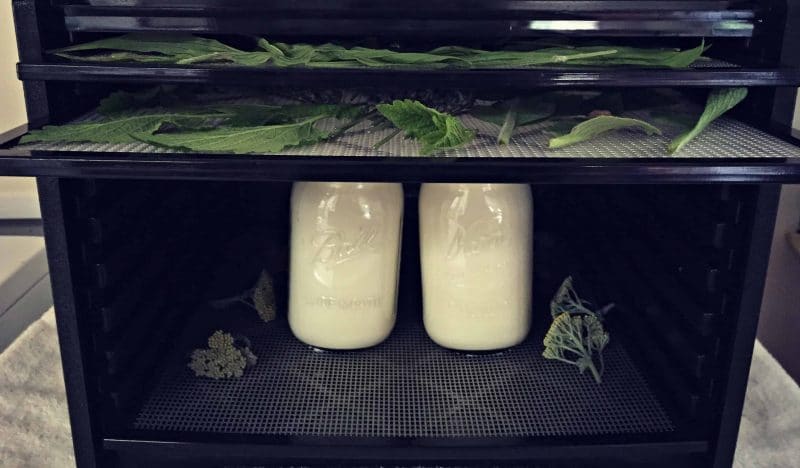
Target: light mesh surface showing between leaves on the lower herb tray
x=725 y=138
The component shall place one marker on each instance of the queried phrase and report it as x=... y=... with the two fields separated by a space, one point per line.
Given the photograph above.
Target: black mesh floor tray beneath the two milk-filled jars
x=405 y=387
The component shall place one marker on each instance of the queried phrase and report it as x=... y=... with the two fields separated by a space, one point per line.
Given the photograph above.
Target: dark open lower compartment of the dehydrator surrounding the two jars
x=156 y=252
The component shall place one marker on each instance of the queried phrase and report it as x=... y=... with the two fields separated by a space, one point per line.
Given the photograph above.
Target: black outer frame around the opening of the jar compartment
x=94 y=445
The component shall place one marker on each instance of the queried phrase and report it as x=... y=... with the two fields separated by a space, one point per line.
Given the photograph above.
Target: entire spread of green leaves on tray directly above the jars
x=174 y=119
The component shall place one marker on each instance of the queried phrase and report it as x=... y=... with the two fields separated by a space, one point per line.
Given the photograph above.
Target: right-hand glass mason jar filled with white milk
x=476 y=243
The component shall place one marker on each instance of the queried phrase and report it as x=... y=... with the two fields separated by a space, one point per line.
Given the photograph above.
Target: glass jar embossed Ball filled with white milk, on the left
x=345 y=255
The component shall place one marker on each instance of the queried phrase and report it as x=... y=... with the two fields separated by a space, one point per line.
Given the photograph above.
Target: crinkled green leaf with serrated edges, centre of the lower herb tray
x=435 y=130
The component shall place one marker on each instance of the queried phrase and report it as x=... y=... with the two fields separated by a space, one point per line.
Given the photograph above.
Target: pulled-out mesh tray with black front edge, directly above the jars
x=728 y=150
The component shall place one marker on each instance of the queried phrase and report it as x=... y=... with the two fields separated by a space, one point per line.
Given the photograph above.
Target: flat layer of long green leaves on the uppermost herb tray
x=182 y=49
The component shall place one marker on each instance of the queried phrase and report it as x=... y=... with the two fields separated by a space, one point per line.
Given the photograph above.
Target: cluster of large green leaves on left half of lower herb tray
x=203 y=127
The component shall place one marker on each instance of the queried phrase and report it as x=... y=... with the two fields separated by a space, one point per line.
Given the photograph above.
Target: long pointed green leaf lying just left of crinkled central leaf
x=240 y=140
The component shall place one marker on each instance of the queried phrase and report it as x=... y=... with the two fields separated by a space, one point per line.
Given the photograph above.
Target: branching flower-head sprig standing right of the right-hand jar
x=576 y=336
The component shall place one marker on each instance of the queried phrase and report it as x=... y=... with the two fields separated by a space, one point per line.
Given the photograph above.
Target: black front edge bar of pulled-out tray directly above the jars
x=417 y=169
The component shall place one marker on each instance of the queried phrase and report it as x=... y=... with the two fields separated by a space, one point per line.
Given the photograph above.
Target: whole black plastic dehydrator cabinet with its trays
x=139 y=239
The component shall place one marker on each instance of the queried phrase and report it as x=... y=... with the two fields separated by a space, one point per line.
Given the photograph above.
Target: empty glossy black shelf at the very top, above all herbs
x=505 y=20
